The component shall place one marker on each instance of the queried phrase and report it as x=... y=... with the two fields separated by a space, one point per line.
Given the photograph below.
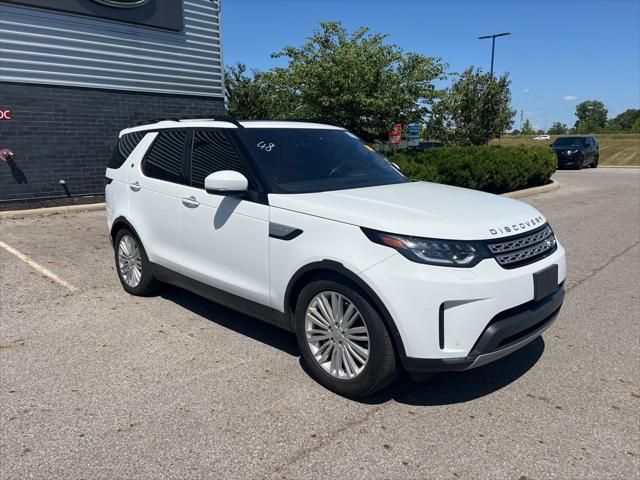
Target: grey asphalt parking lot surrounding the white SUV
x=97 y=384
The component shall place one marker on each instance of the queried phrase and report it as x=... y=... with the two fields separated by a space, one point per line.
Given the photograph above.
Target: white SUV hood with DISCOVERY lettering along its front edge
x=420 y=209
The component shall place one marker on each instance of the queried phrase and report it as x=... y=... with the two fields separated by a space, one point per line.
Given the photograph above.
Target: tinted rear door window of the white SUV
x=164 y=160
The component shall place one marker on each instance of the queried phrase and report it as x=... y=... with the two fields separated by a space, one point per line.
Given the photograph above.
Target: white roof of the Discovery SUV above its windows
x=204 y=122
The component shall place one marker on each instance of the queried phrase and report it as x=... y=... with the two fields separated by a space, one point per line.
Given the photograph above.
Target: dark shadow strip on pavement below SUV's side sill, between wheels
x=232 y=320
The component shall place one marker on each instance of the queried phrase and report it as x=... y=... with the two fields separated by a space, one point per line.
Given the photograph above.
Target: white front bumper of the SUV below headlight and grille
x=442 y=313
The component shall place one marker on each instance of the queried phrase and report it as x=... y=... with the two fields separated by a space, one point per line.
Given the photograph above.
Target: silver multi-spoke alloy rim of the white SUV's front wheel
x=337 y=335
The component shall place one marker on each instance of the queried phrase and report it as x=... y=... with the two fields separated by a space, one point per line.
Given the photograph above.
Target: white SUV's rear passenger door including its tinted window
x=157 y=185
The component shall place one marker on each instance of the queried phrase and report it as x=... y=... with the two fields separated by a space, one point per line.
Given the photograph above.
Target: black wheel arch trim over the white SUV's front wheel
x=332 y=269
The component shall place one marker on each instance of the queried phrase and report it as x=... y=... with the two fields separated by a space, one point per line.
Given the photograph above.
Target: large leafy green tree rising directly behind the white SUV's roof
x=356 y=80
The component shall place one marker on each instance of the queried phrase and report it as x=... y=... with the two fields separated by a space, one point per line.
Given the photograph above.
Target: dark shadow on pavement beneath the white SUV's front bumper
x=457 y=387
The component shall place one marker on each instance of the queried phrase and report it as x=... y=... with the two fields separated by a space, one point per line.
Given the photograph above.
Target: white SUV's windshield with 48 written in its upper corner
x=296 y=160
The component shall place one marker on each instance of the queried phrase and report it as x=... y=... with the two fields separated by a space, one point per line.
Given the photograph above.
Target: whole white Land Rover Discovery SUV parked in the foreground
x=306 y=227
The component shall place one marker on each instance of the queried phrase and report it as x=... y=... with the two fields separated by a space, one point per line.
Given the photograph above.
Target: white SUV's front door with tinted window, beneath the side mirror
x=225 y=238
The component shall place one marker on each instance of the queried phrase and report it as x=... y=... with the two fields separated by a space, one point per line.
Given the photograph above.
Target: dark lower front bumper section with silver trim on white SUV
x=506 y=332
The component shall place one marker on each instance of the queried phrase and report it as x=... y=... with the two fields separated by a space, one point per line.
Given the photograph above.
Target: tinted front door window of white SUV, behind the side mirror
x=212 y=152
